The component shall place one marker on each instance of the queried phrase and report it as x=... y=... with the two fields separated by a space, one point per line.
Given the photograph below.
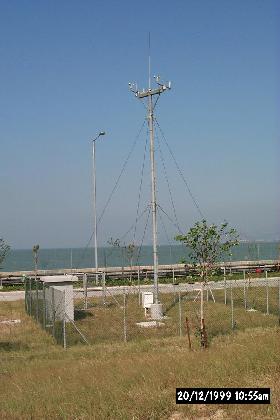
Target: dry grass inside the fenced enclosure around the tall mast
x=106 y=324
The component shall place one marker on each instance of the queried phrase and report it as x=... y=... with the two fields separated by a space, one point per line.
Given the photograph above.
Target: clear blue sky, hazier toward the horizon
x=65 y=68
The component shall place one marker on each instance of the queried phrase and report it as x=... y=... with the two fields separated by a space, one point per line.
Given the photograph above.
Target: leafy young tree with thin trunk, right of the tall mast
x=207 y=243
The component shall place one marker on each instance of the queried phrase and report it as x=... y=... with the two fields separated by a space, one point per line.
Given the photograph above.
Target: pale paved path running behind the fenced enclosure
x=163 y=288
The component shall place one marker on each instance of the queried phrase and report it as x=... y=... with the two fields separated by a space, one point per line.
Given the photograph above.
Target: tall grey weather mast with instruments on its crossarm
x=150 y=93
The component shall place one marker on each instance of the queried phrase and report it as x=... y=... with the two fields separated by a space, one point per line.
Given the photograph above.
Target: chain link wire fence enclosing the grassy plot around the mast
x=105 y=314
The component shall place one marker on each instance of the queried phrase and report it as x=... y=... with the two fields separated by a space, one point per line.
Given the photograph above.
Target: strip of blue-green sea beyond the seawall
x=62 y=258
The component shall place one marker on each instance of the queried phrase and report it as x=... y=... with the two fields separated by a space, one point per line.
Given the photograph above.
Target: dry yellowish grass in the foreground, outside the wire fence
x=133 y=380
